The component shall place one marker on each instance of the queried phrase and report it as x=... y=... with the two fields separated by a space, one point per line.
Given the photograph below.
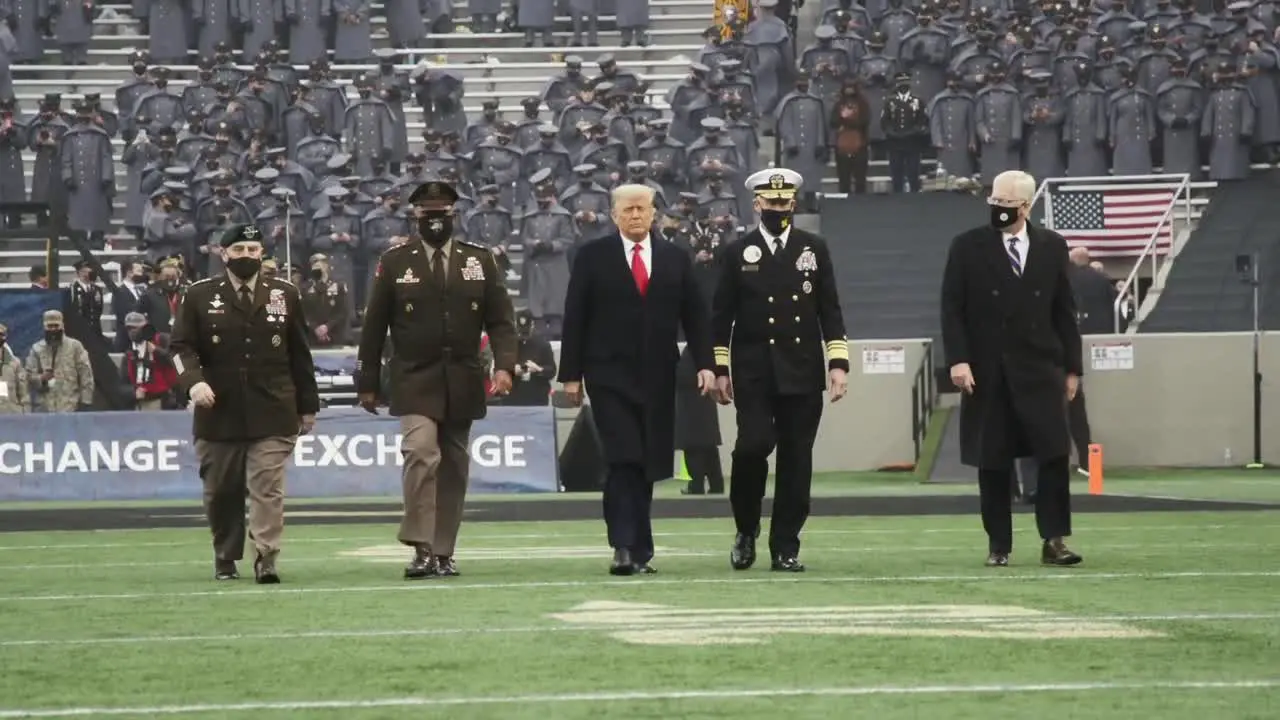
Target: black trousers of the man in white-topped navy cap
x=790 y=425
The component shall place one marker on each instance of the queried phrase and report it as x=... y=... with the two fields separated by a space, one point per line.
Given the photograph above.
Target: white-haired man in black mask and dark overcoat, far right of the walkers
x=1011 y=336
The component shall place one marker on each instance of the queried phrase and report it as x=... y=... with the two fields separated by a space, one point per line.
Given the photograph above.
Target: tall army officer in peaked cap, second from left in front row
x=437 y=295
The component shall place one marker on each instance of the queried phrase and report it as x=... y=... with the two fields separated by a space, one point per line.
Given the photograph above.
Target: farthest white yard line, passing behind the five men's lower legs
x=729 y=534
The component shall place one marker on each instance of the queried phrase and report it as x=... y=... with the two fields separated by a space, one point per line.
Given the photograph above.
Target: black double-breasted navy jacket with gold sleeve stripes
x=775 y=316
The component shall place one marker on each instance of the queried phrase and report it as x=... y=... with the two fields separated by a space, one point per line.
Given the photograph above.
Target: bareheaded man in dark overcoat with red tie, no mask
x=629 y=295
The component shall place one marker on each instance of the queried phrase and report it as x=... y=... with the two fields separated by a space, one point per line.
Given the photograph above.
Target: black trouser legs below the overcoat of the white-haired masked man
x=1053 y=503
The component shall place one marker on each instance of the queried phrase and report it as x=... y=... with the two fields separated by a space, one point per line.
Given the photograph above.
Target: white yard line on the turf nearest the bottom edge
x=641 y=696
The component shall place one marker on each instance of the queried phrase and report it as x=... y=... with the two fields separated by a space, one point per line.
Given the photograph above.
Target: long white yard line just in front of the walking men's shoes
x=995 y=576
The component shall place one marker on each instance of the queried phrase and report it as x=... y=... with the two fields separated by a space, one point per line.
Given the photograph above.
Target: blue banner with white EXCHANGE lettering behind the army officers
x=84 y=457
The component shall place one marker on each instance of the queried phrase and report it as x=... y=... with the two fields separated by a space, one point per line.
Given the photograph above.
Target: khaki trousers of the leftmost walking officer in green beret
x=235 y=471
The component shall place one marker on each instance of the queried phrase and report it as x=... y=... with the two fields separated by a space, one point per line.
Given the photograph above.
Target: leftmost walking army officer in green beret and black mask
x=240 y=347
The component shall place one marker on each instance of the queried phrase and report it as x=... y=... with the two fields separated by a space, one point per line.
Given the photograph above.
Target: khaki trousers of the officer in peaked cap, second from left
x=437 y=464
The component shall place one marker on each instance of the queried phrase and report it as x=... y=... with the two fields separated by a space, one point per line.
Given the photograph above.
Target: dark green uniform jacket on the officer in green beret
x=255 y=359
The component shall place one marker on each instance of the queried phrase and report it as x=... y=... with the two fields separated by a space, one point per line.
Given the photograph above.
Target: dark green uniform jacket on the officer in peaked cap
x=436 y=364
